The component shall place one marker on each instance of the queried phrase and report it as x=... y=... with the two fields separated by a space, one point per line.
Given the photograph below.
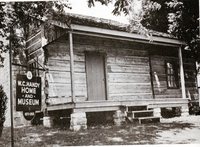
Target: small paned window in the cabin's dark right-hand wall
x=172 y=75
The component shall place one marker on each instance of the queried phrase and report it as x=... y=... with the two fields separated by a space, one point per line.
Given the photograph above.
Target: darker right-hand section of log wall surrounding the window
x=159 y=56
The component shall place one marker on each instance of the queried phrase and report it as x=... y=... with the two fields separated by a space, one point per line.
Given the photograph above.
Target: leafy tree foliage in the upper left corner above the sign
x=14 y=17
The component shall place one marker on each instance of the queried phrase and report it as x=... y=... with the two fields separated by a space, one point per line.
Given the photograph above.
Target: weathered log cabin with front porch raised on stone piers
x=92 y=65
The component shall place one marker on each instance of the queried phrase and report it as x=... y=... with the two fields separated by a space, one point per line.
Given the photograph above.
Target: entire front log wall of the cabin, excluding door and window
x=127 y=69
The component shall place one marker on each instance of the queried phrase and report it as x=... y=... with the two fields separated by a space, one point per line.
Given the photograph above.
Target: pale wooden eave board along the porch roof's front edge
x=95 y=31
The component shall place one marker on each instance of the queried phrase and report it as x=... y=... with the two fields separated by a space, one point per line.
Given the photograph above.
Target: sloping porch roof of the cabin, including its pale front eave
x=94 y=26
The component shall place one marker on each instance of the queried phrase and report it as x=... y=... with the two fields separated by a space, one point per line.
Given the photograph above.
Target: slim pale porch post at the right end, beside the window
x=182 y=74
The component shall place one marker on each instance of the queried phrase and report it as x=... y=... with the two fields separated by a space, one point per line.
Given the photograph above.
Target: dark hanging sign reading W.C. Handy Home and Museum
x=28 y=93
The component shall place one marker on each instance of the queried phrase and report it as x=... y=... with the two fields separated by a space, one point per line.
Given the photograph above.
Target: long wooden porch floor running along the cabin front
x=111 y=105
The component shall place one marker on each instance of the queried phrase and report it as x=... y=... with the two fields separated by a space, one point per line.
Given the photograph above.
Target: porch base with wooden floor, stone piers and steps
x=122 y=111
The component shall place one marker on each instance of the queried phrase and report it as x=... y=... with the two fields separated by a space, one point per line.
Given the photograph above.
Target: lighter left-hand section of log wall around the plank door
x=126 y=65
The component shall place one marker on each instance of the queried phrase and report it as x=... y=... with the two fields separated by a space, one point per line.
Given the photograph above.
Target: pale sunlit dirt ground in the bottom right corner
x=181 y=136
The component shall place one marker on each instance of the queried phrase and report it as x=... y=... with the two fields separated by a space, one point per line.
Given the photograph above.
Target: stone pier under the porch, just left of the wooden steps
x=119 y=117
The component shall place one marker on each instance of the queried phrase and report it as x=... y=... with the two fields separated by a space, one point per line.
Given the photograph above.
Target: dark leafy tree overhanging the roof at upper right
x=176 y=17
